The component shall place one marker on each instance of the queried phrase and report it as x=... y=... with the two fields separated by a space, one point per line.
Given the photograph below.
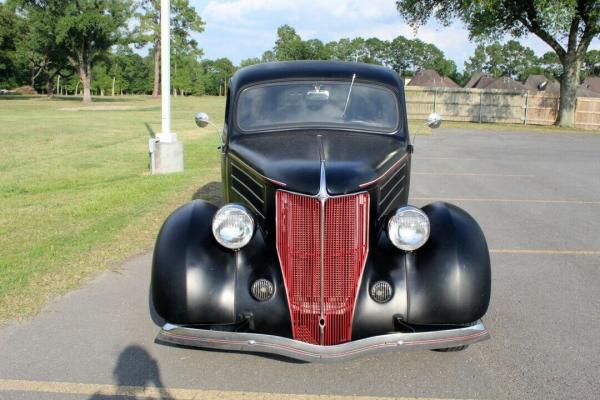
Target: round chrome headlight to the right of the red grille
x=408 y=228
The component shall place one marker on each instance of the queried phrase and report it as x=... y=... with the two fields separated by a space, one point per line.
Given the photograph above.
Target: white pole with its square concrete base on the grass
x=166 y=153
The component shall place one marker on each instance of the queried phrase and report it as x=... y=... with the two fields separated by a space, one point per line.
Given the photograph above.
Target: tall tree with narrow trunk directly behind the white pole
x=184 y=21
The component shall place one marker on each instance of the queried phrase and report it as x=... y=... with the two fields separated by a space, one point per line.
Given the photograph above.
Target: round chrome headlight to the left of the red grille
x=233 y=226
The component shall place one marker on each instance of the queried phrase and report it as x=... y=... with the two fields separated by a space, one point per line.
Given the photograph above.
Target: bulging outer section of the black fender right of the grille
x=449 y=278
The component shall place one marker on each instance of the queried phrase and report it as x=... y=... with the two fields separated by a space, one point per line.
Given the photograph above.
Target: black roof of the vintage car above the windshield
x=313 y=69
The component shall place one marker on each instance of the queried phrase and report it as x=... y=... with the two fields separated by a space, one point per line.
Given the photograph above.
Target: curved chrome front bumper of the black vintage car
x=258 y=343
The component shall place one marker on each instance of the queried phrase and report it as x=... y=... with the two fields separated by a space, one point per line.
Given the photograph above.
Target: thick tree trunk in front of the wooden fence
x=569 y=82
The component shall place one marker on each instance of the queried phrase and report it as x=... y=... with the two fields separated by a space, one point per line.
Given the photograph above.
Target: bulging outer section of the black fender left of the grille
x=193 y=278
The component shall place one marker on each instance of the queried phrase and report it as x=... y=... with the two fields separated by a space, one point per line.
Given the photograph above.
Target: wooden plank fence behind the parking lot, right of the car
x=494 y=105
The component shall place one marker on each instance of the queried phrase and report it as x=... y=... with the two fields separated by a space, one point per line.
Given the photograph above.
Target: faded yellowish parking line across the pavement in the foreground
x=138 y=392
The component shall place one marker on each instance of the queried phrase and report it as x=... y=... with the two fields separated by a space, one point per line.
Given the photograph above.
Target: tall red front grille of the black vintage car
x=345 y=250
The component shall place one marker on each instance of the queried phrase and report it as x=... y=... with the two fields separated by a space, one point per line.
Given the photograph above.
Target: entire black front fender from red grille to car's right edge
x=445 y=282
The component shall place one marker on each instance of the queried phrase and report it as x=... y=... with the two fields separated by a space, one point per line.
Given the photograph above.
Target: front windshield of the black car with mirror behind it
x=349 y=104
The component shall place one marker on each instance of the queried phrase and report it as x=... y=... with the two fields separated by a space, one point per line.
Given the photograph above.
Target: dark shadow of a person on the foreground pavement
x=135 y=371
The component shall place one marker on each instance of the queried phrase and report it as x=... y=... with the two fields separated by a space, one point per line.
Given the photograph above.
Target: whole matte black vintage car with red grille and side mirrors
x=316 y=254
